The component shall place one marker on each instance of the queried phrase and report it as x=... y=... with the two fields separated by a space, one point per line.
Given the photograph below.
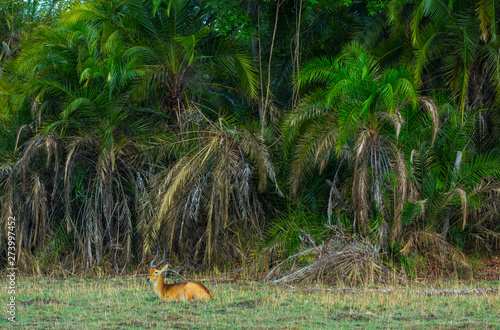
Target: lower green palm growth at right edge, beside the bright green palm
x=454 y=185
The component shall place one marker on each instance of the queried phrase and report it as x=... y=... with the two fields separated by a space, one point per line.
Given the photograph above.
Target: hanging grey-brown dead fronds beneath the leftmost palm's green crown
x=102 y=224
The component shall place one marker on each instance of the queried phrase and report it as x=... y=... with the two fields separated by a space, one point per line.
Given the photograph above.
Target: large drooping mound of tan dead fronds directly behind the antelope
x=199 y=206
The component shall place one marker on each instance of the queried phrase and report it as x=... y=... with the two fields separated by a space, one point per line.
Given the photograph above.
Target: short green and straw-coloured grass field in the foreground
x=130 y=303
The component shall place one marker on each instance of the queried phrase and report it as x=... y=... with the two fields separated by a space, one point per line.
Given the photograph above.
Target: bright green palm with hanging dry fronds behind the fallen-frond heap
x=353 y=113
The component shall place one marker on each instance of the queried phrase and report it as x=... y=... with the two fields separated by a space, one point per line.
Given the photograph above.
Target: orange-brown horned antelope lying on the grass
x=179 y=291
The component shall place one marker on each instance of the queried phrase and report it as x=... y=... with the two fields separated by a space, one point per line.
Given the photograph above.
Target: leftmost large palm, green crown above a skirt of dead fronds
x=86 y=127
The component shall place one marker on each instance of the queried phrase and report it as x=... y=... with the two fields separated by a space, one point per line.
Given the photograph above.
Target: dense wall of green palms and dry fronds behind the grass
x=243 y=132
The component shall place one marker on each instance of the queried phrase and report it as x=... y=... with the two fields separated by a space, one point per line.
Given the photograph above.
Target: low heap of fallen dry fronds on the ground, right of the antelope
x=339 y=260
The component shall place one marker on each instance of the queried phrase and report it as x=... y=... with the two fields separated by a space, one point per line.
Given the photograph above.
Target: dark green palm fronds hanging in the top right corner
x=454 y=44
